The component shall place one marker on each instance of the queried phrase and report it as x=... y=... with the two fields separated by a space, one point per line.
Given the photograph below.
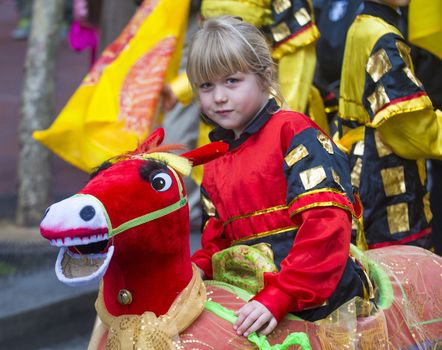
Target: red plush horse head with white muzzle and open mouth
x=130 y=226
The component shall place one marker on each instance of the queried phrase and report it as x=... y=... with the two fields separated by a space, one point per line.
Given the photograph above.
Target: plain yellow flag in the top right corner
x=425 y=25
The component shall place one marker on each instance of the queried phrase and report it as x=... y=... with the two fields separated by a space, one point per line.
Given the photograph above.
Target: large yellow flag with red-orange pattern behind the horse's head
x=116 y=104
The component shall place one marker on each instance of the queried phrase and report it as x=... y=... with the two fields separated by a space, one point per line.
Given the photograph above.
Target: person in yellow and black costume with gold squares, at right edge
x=389 y=127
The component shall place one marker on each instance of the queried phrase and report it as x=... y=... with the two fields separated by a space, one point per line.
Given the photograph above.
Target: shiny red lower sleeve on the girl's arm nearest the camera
x=314 y=266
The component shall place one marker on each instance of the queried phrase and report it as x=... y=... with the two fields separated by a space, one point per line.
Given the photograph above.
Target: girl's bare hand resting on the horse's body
x=253 y=317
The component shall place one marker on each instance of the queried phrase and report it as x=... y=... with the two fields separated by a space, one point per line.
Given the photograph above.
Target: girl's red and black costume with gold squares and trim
x=284 y=182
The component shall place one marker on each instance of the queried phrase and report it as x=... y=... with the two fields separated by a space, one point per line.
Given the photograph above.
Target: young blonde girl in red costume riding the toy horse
x=282 y=182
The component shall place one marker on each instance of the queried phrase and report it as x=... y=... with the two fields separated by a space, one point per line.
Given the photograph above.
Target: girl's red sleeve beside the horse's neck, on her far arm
x=212 y=241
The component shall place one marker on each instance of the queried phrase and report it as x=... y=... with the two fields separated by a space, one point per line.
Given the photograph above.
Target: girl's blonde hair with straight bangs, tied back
x=226 y=45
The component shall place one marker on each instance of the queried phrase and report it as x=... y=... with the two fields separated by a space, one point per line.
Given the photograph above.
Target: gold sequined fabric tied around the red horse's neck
x=147 y=331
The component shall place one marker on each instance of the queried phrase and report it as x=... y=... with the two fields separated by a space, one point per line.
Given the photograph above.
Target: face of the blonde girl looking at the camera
x=232 y=101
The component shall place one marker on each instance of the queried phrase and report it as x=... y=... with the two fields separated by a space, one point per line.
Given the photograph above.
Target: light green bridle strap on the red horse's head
x=144 y=218
